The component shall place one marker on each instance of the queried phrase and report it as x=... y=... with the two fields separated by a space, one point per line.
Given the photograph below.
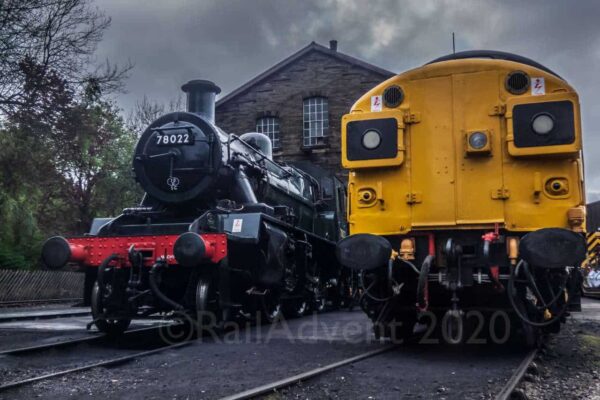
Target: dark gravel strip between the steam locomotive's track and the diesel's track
x=198 y=371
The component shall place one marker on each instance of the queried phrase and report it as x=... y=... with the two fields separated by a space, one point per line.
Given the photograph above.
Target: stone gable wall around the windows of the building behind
x=282 y=95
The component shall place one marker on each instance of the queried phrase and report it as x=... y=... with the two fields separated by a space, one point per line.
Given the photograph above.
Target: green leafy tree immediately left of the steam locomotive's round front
x=93 y=152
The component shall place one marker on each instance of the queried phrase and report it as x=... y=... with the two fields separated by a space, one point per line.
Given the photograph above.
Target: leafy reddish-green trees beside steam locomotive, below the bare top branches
x=64 y=159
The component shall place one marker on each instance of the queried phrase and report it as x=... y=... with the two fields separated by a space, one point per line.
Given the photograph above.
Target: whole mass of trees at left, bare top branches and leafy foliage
x=65 y=153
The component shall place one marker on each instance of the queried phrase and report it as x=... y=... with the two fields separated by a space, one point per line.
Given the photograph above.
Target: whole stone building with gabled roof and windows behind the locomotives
x=299 y=103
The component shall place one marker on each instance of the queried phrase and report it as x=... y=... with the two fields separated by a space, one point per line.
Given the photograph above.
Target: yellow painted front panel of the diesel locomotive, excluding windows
x=436 y=182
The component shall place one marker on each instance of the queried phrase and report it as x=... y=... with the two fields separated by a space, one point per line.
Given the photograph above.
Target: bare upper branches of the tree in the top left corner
x=51 y=35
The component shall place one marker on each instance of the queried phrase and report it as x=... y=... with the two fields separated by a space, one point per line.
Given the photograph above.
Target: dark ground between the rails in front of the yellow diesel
x=421 y=372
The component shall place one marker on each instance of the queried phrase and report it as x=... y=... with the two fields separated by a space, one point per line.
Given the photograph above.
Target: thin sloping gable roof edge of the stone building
x=296 y=56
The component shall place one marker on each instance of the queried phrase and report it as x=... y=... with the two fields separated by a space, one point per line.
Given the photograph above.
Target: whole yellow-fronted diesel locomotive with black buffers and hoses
x=466 y=193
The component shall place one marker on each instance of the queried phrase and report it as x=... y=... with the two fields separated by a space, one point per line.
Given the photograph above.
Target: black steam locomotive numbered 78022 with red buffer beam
x=222 y=229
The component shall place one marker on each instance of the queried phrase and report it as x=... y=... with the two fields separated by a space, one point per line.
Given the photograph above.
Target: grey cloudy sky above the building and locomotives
x=230 y=42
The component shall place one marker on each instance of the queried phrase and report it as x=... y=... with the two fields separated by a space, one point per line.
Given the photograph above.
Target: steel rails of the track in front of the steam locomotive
x=89 y=365
